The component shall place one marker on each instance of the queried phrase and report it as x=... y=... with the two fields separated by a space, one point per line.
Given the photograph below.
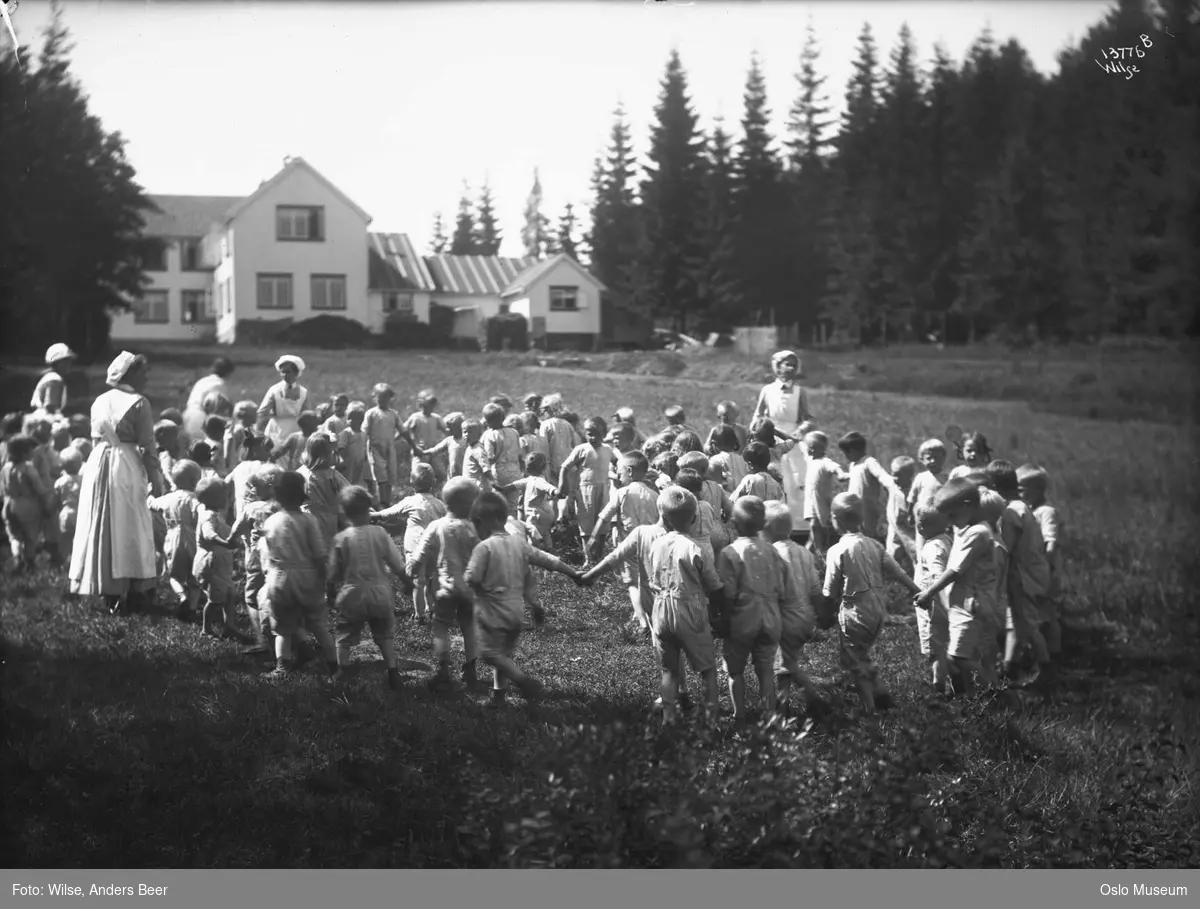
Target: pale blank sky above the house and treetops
x=399 y=103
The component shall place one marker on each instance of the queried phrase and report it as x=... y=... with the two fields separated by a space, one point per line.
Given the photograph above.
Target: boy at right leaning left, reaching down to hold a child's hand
x=971 y=577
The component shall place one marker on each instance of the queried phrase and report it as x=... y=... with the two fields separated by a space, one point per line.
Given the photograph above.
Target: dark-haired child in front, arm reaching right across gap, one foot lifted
x=496 y=575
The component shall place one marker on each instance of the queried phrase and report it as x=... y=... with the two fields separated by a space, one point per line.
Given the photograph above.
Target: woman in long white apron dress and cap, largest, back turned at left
x=113 y=553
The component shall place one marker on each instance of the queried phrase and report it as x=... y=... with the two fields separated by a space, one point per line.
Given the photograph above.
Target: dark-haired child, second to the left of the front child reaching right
x=358 y=579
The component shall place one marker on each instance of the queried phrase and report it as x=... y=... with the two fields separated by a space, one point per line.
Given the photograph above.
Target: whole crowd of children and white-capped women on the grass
x=737 y=546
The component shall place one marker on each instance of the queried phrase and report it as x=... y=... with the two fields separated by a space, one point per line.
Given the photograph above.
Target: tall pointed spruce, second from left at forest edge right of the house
x=673 y=194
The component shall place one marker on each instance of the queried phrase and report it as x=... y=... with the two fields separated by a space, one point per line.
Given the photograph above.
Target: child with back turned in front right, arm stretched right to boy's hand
x=856 y=569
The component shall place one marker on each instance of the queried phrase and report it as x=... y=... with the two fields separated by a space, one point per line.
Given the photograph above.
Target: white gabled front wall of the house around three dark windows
x=344 y=251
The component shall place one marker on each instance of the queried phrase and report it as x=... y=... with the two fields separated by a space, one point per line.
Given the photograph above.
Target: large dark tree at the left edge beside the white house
x=71 y=243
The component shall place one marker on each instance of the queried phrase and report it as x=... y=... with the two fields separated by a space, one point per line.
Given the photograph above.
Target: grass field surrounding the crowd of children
x=134 y=743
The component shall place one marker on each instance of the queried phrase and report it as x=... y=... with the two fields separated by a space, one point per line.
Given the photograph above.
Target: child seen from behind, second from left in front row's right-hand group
x=755 y=586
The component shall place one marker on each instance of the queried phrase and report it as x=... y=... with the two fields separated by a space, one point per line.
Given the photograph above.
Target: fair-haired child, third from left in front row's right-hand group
x=799 y=619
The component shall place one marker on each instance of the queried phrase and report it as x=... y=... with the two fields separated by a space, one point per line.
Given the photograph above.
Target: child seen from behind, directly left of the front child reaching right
x=447 y=546
